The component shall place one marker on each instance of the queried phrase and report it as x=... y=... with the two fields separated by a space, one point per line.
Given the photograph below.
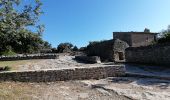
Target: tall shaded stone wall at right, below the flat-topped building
x=156 y=54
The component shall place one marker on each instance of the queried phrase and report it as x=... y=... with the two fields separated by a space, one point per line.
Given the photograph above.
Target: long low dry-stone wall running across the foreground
x=64 y=74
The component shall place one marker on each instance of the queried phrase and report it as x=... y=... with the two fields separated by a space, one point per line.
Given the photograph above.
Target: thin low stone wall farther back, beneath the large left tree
x=27 y=57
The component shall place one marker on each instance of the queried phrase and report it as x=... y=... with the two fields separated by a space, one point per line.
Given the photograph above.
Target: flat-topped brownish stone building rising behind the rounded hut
x=136 y=39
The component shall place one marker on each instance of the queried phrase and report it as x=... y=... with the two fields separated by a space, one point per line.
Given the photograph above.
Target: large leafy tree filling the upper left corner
x=14 y=23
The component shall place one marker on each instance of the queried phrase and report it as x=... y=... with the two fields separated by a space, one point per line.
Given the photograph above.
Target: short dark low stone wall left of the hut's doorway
x=88 y=59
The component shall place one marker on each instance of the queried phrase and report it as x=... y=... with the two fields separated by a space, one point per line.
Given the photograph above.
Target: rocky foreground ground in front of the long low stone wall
x=121 y=88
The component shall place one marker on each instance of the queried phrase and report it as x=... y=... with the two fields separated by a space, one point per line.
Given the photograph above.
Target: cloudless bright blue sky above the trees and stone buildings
x=81 y=21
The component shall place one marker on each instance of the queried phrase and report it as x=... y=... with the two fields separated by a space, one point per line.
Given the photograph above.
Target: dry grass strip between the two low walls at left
x=14 y=65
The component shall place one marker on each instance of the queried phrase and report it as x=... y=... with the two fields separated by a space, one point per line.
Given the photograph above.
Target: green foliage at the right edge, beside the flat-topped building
x=165 y=36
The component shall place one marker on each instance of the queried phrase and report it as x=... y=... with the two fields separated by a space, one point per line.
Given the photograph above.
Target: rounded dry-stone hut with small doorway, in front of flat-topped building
x=109 y=50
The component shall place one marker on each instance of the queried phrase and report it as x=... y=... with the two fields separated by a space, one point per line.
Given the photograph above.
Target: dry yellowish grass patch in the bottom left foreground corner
x=17 y=91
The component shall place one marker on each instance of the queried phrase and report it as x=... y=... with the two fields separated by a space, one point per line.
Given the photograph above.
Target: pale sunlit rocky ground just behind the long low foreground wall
x=64 y=62
